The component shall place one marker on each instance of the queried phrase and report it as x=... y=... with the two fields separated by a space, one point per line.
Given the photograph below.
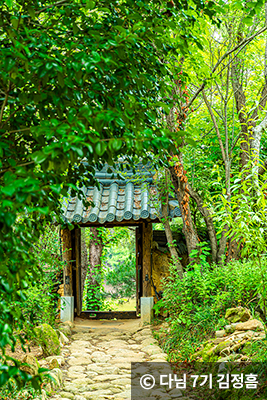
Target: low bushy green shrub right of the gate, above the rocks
x=196 y=305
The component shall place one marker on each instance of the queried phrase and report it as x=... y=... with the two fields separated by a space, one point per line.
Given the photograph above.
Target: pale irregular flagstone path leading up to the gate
x=98 y=360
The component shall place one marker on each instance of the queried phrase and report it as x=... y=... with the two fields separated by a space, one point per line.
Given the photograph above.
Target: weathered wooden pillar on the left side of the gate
x=67 y=257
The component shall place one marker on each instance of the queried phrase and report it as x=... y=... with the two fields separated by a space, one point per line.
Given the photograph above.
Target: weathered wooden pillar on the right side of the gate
x=146 y=250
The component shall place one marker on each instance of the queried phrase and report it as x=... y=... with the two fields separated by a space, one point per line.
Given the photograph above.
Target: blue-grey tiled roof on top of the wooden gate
x=131 y=197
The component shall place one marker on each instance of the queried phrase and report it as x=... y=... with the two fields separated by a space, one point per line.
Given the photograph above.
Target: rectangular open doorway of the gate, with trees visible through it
x=109 y=270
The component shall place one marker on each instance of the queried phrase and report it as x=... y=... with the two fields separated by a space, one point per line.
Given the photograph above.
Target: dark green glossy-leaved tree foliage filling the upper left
x=77 y=80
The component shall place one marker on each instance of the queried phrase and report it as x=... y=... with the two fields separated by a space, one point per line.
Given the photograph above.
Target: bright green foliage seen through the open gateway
x=116 y=276
